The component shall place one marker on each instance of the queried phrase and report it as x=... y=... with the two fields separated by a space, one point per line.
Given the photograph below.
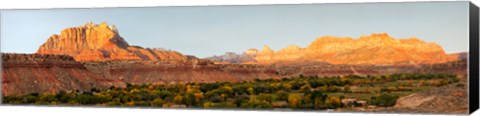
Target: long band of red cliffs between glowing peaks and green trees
x=36 y=73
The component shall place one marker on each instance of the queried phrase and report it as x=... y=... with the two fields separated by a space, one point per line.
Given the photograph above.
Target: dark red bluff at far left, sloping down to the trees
x=35 y=73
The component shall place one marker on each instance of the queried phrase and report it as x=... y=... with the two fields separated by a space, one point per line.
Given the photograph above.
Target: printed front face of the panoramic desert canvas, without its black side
x=361 y=57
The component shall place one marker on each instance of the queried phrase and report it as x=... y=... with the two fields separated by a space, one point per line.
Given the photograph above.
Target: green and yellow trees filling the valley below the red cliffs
x=301 y=92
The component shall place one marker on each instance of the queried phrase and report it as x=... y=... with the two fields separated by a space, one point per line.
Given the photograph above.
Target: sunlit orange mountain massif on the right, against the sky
x=373 y=49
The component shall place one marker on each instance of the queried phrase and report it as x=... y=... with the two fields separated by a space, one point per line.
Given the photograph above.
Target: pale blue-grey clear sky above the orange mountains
x=205 y=31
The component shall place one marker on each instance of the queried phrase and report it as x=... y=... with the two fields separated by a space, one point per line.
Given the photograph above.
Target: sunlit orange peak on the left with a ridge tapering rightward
x=92 y=42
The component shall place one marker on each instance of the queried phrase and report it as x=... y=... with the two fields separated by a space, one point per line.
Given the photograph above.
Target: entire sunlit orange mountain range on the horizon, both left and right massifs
x=92 y=42
